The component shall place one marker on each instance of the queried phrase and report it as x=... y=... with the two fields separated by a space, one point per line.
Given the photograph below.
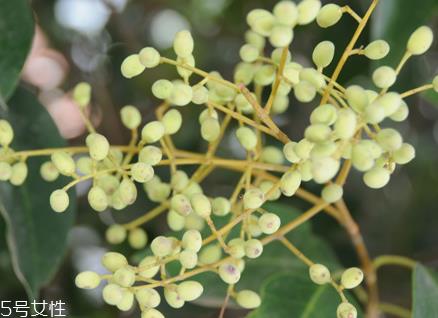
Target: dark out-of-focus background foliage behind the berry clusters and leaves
x=94 y=36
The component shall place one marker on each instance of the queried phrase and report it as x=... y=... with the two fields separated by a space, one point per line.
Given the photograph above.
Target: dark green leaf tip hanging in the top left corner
x=16 y=32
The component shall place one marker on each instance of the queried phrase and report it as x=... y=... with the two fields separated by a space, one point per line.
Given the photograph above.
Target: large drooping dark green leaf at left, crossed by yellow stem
x=36 y=235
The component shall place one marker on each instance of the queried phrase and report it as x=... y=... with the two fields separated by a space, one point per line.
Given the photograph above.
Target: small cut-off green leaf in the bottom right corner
x=424 y=292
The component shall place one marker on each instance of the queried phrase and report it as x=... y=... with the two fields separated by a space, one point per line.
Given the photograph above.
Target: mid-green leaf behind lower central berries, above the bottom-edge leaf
x=275 y=259
